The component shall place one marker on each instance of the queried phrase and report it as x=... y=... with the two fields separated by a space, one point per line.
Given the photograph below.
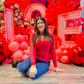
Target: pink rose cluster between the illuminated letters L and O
x=19 y=17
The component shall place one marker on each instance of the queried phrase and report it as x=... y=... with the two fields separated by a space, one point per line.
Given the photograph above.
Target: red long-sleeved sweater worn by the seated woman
x=42 y=50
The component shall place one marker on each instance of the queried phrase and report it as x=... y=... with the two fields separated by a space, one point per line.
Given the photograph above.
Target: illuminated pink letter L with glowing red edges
x=9 y=24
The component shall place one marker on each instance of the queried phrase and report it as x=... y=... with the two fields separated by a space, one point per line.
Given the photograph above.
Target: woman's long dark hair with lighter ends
x=46 y=33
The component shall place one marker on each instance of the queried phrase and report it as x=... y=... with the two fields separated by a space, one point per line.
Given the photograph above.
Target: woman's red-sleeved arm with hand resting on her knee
x=33 y=69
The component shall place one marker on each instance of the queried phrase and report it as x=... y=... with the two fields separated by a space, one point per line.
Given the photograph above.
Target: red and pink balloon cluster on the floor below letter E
x=75 y=54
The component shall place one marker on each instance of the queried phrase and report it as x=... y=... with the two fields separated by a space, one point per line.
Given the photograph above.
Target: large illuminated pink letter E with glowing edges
x=62 y=30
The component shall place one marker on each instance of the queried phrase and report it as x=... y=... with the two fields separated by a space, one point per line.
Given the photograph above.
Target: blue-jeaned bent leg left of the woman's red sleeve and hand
x=23 y=66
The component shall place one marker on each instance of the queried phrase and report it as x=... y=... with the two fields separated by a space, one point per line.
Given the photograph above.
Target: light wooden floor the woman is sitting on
x=72 y=75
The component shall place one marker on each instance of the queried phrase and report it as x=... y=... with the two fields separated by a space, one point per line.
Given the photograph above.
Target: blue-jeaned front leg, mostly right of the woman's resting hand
x=41 y=69
